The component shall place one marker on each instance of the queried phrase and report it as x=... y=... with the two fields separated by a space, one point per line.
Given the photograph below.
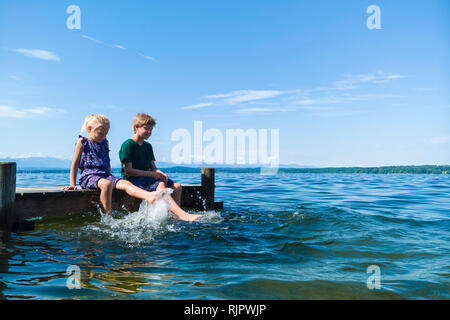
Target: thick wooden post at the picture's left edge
x=7 y=194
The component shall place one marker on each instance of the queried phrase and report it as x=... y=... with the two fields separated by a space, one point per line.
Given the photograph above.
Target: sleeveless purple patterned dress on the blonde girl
x=95 y=164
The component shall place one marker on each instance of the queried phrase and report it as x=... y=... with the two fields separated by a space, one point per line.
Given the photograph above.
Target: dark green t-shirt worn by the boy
x=139 y=156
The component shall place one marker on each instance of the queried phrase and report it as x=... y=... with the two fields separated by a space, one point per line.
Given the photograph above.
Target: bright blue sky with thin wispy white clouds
x=339 y=93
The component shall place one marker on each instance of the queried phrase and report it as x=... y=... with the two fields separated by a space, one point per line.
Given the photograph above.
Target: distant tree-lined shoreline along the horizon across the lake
x=421 y=169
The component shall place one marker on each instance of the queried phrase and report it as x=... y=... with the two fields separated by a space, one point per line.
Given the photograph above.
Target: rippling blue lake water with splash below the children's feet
x=287 y=236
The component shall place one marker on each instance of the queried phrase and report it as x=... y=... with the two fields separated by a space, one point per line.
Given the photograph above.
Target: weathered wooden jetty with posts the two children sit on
x=19 y=204
